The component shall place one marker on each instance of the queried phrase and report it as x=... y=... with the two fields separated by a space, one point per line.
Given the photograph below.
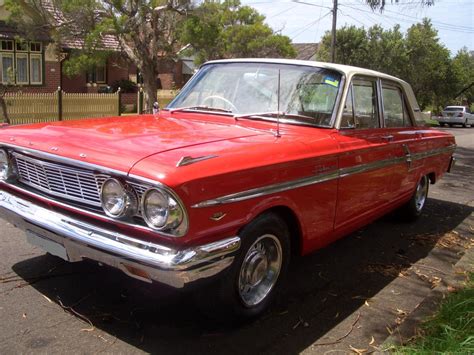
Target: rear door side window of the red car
x=395 y=112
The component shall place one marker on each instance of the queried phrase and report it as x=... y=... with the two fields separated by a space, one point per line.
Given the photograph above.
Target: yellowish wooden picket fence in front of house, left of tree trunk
x=47 y=107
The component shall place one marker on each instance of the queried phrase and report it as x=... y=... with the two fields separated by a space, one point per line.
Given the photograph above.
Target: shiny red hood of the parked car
x=120 y=142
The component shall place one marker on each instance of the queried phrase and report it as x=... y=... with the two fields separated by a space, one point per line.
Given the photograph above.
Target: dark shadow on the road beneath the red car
x=321 y=290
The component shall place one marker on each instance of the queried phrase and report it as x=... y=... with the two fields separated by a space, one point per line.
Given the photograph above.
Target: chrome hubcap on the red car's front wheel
x=260 y=269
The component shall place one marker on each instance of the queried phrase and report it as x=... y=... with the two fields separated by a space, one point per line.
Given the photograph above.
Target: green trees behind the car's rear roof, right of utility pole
x=416 y=56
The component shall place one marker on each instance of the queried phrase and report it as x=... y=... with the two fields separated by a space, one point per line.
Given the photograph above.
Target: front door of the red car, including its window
x=366 y=158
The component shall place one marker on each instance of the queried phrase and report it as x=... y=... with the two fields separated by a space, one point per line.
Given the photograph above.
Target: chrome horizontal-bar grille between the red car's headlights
x=67 y=182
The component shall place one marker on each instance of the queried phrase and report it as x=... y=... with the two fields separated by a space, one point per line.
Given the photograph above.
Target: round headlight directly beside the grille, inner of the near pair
x=118 y=200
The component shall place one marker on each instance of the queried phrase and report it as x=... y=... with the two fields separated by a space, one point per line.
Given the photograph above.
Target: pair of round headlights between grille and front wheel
x=159 y=208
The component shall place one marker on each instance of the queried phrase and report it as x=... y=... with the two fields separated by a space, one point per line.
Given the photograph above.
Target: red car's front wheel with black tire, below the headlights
x=228 y=297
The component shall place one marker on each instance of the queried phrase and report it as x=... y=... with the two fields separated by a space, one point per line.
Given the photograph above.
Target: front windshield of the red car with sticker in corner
x=306 y=94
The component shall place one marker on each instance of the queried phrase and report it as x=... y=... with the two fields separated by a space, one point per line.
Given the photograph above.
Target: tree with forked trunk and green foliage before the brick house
x=147 y=30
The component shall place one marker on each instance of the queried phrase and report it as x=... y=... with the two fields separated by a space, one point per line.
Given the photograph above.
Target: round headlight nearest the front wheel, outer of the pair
x=160 y=210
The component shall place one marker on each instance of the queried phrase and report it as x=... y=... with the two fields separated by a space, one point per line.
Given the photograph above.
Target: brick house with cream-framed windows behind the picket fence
x=37 y=66
